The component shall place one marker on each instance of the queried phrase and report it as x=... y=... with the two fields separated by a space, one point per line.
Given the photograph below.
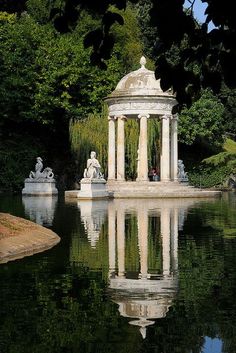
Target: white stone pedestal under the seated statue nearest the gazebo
x=92 y=189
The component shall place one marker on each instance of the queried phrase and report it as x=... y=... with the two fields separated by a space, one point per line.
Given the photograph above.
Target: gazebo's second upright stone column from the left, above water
x=121 y=148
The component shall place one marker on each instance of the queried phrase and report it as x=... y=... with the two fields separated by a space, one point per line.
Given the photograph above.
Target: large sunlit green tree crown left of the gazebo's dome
x=47 y=73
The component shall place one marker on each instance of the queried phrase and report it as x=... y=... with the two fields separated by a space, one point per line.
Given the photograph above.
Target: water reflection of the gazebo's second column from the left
x=121 y=242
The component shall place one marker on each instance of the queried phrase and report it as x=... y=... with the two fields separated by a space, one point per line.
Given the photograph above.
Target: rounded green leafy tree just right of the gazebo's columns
x=203 y=121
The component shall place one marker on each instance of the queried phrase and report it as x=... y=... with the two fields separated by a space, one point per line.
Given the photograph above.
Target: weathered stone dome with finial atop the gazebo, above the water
x=141 y=82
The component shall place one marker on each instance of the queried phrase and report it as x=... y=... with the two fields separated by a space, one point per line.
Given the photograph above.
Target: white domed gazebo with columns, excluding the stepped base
x=139 y=95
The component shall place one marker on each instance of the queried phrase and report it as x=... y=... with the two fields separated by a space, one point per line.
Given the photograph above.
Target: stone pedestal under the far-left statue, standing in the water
x=40 y=187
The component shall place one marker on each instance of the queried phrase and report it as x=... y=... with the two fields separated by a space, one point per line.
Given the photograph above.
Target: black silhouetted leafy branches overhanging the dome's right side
x=212 y=52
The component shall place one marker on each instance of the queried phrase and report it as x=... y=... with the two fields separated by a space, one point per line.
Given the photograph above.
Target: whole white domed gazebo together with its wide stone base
x=139 y=96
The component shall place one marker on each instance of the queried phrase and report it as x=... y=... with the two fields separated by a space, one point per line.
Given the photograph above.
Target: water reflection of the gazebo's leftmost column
x=112 y=238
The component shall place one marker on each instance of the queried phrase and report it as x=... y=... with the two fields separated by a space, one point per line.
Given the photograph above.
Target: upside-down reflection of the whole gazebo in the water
x=150 y=296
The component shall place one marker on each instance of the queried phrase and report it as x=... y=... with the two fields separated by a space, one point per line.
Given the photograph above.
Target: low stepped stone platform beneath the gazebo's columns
x=150 y=189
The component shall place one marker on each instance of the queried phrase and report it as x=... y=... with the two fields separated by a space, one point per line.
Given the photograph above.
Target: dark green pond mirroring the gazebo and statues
x=128 y=276
